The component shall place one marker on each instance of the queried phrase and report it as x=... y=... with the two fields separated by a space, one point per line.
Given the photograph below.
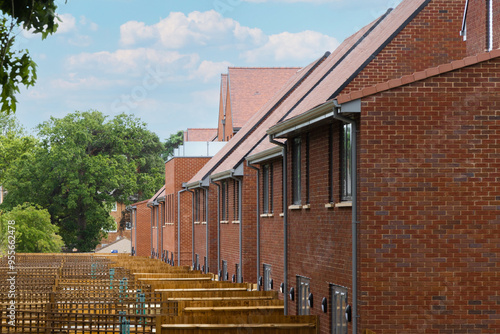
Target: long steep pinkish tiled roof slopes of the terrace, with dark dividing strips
x=324 y=82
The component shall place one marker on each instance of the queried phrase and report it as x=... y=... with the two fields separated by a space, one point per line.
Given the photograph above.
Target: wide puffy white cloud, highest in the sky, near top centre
x=197 y=28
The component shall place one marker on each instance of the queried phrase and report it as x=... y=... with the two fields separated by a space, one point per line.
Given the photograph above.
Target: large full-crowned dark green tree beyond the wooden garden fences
x=83 y=164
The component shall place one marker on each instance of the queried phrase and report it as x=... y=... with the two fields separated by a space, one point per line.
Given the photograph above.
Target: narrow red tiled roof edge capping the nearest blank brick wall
x=417 y=76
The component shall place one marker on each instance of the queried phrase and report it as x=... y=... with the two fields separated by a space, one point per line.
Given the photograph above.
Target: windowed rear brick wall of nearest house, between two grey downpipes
x=319 y=238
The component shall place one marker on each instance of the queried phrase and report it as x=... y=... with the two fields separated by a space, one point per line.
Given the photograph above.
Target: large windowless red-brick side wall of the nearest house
x=430 y=221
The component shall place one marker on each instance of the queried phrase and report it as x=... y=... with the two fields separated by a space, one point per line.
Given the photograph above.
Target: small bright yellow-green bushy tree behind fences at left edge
x=32 y=229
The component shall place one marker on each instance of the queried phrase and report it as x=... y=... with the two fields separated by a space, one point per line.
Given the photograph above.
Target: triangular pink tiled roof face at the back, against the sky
x=251 y=87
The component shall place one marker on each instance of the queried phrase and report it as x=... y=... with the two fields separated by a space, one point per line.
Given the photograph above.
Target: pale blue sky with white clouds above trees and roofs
x=161 y=60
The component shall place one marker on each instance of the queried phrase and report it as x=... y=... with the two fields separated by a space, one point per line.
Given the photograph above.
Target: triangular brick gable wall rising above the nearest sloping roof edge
x=430 y=39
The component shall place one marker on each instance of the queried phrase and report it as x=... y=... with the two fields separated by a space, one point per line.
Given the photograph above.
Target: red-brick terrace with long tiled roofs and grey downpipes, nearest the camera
x=366 y=189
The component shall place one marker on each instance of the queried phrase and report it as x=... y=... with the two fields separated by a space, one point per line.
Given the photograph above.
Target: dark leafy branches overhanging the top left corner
x=16 y=66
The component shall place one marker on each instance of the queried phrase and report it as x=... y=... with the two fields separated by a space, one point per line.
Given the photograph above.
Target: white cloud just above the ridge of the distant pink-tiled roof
x=288 y=46
